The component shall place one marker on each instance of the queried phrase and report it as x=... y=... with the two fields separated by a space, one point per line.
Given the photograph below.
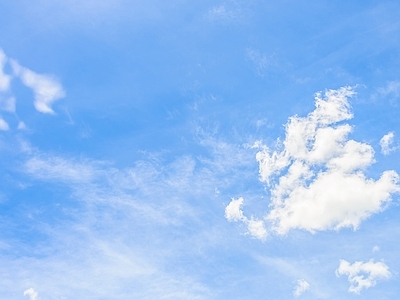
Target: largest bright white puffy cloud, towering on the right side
x=316 y=175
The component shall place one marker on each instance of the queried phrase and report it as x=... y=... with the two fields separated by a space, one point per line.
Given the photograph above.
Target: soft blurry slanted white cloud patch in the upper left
x=46 y=89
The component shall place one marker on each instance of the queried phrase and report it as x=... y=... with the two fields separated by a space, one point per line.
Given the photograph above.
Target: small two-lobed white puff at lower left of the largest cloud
x=234 y=213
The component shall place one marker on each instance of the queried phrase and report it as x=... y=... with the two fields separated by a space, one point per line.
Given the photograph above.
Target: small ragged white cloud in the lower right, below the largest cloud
x=363 y=275
